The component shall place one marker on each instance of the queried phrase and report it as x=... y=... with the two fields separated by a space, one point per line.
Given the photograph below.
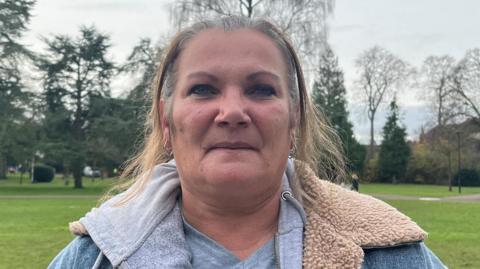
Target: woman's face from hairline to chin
x=232 y=129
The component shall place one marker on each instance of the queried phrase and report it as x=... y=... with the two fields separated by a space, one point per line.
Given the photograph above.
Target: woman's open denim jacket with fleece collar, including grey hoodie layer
x=337 y=229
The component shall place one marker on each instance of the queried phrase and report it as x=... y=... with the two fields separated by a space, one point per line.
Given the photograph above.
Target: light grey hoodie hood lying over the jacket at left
x=120 y=230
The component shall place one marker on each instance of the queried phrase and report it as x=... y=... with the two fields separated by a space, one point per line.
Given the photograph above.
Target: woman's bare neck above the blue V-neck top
x=240 y=229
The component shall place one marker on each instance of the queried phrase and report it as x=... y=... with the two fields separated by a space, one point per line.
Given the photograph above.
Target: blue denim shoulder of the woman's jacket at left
x=80 y=253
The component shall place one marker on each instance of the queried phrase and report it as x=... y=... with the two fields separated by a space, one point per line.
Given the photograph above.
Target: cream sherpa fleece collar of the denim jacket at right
x=341 y=222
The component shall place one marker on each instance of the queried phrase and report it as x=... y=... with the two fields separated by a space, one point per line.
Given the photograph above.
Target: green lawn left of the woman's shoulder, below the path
x=33 y=231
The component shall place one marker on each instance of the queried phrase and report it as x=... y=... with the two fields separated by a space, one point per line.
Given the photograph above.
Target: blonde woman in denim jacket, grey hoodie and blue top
x=215 y=187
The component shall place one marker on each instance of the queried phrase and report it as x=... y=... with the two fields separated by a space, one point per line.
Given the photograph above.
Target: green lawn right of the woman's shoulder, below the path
x=454 y=229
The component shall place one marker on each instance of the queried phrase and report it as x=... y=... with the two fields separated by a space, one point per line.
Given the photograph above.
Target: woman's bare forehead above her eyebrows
x=218 y=49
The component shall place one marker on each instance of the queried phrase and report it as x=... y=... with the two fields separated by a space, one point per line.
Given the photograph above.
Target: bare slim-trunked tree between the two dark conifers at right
x=380 y=74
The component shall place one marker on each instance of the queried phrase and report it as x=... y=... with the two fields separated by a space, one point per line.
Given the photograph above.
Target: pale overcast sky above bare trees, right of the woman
x=412 y=30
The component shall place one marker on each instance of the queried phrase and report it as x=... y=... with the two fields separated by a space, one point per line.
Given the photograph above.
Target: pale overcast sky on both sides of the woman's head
x=411 y=29
